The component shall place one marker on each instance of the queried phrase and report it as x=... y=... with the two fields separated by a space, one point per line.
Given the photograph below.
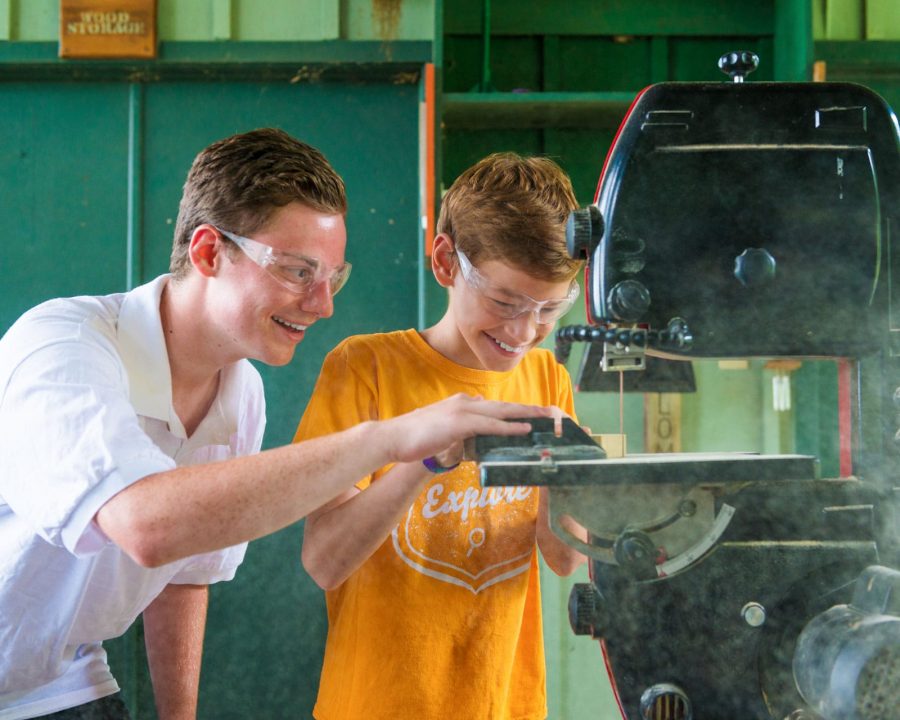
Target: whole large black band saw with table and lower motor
x=742 y=219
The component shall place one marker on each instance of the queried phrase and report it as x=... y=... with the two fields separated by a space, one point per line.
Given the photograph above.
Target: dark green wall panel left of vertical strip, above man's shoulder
x=59 y=158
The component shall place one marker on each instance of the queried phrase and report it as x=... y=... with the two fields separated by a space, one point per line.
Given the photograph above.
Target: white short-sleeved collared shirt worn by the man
x=85 y=411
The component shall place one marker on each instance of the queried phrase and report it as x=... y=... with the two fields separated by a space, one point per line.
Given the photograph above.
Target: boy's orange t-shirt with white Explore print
x=444 y=620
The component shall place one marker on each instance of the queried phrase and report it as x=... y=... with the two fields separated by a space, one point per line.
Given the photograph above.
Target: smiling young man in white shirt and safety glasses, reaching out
x=130 y=427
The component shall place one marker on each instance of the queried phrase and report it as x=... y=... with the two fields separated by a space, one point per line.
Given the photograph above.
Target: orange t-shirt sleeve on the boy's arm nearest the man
x=345 y=395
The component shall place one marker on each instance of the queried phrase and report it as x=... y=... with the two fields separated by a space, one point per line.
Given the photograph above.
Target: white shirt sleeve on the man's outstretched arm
x=70 y=440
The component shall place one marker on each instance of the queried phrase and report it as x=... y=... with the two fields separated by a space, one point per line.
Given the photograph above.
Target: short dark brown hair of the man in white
x=239 y=182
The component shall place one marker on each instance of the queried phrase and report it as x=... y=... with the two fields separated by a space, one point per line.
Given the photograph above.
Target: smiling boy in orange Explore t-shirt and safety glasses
x=432 y=581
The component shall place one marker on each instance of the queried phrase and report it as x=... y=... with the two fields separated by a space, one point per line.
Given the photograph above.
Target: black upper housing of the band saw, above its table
x=760 y=214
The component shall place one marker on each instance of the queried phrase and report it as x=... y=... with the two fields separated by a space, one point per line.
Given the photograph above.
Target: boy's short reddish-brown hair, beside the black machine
x=514 y=209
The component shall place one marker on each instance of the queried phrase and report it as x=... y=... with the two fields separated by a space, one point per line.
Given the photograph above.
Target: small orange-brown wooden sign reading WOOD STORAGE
x=107 y=28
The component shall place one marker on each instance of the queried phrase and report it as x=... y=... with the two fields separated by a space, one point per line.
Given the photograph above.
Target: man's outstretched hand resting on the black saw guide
x=440 y=428
